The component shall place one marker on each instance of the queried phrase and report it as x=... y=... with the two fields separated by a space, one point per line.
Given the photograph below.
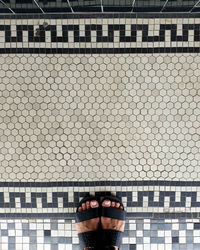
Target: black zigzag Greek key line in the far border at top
x=100 y=38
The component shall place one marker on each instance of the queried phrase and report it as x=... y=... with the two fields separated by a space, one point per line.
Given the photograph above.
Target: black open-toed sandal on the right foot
x=112 y=237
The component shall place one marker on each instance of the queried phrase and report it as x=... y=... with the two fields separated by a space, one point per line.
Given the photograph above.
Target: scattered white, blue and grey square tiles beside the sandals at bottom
x=139 y=234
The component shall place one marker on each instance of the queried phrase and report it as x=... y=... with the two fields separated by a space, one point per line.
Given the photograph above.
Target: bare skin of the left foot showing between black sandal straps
x=88 y=225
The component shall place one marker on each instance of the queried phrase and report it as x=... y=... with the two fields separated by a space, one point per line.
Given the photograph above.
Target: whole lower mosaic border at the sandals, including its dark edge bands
x=168 y=200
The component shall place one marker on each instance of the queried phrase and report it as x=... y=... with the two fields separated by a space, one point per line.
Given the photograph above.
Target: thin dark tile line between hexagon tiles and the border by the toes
x=100 y=183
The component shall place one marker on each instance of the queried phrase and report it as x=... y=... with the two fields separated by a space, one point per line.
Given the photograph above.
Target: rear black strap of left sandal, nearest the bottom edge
x=88 y=239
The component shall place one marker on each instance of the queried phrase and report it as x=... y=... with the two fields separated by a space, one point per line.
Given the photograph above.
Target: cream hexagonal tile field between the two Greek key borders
x=93 y=118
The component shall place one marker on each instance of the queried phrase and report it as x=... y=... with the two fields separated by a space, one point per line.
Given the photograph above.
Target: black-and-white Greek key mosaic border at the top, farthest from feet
x=96 y=35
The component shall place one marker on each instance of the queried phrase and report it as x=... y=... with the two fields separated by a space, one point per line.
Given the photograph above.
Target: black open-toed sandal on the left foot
x=88 y=239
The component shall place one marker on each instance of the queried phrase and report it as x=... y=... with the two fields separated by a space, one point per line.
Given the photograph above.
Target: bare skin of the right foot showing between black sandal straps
x=110 y=223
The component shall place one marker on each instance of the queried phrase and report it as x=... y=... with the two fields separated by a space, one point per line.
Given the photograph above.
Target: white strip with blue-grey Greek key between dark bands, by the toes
x=43 y=200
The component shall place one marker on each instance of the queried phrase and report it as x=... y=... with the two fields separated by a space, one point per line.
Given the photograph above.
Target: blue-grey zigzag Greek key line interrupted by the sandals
x=128 y=195
